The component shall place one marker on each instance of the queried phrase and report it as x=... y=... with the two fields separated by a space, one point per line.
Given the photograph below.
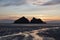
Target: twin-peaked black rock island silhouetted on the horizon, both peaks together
x=24 y=20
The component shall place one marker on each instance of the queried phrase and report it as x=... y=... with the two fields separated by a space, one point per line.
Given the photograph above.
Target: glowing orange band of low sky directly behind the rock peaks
x=44 y=18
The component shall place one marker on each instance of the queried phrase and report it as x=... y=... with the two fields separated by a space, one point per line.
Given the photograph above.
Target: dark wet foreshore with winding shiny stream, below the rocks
x=9 y=31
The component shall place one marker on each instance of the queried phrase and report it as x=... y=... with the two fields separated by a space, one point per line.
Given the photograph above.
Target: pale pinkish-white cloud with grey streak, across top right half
x=44 y=2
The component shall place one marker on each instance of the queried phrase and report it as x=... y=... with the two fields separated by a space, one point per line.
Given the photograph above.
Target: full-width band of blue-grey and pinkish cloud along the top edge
x=4 y=3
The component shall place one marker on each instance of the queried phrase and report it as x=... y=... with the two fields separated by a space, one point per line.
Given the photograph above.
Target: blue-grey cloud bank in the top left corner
x=11 y=2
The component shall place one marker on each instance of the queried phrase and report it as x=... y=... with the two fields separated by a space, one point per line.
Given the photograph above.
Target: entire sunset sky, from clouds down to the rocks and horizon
x=47 y=10
